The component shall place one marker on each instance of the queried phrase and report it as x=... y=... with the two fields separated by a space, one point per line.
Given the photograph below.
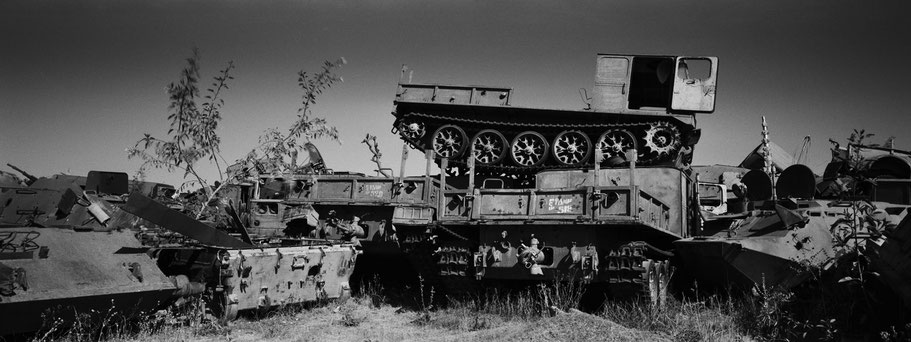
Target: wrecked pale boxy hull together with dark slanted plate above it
x=235 y=275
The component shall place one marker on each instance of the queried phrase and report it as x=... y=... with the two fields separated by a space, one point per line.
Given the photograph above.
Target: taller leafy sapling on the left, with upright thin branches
x=192 y=133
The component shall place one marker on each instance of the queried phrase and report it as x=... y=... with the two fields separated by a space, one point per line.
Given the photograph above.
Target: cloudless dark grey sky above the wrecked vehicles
x=82 y=81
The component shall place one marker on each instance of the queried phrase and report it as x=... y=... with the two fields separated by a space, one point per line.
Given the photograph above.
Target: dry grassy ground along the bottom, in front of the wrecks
x=535 y=313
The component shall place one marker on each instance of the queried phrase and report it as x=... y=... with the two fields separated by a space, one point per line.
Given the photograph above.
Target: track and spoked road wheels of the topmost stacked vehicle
x=516 y=148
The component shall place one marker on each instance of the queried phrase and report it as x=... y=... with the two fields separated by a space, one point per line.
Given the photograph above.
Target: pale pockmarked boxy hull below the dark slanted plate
x=262 y=278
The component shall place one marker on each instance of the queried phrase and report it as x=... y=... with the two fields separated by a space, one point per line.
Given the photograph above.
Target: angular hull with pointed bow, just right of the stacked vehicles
x=773 y=247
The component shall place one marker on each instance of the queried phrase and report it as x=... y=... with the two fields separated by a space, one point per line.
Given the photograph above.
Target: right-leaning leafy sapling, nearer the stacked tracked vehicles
x=278 y=151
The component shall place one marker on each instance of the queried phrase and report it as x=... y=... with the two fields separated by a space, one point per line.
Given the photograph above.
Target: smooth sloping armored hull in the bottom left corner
x=59 y=271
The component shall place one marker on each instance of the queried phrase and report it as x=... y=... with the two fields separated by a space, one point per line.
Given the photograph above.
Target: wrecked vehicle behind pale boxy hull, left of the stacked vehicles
x=322 y=204
